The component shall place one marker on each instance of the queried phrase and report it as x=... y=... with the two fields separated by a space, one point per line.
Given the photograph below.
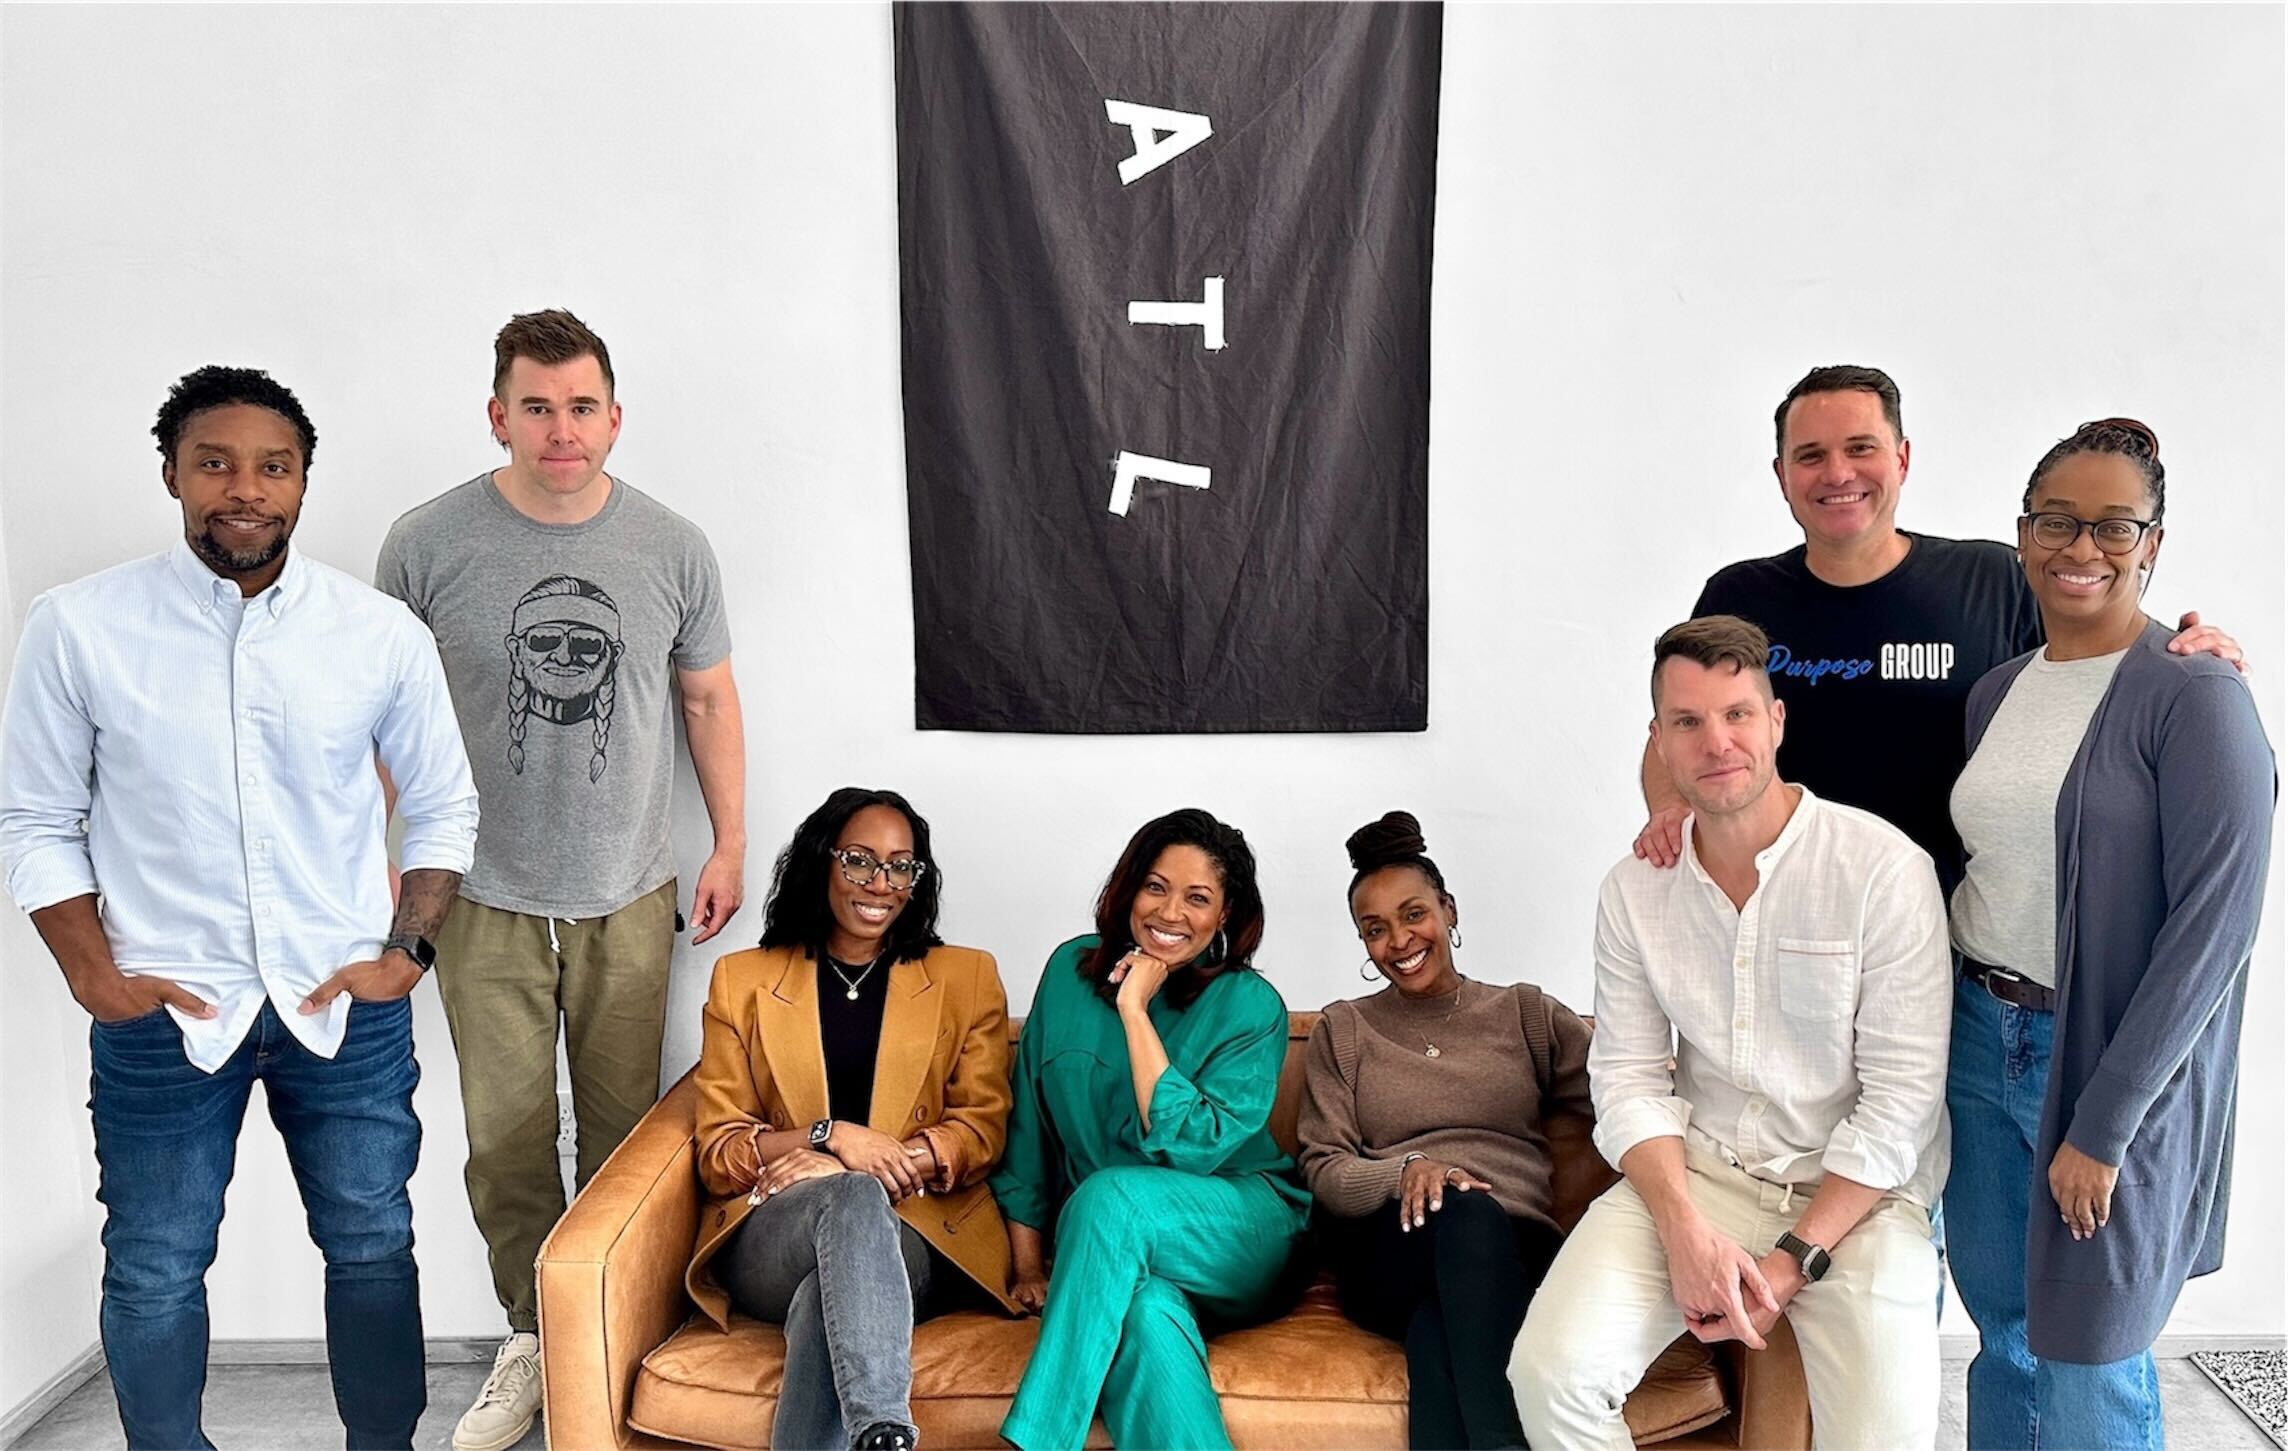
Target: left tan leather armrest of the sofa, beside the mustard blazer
x=612 y=1276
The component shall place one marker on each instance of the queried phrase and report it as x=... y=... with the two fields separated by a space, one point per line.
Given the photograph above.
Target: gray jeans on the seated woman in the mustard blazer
x=834 y=1264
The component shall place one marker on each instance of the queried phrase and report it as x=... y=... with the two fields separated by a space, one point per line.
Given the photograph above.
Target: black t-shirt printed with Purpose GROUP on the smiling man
x=1877 y=676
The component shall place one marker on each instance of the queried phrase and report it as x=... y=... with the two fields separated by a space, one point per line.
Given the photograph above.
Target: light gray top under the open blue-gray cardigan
x=2005 y=809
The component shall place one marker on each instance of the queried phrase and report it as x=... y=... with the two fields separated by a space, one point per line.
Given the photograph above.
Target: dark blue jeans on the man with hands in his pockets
x=168 y=1141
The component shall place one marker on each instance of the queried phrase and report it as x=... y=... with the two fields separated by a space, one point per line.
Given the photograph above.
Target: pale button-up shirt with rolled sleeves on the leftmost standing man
x=209 y=770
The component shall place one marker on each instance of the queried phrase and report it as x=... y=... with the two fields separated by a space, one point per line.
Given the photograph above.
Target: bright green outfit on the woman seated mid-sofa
x=1147 y=1228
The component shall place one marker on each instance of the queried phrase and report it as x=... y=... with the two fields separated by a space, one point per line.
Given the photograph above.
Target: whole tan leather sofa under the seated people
x=630 y=1363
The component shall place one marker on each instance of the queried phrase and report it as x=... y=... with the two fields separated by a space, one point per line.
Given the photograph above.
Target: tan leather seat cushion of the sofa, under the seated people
x=1308 y=1379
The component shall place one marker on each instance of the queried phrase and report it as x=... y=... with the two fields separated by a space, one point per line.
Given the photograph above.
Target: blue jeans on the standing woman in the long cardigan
x=1996 y=1081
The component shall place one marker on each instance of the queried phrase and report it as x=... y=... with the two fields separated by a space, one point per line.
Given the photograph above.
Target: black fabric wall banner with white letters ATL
x=1166 y=301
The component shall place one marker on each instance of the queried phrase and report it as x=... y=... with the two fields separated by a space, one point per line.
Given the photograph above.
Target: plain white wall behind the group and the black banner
x=1651 y=223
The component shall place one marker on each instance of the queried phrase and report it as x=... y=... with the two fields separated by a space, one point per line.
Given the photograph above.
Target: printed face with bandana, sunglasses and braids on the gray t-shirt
x=564 y=653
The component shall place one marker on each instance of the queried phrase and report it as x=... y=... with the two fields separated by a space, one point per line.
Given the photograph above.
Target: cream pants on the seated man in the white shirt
x=1605 y=1313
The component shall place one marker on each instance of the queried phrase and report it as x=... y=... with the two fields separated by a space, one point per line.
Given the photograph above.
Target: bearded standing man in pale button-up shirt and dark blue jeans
x=191 y=814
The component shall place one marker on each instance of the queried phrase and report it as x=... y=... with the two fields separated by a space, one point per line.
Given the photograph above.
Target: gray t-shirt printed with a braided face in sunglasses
x=557 y=647
